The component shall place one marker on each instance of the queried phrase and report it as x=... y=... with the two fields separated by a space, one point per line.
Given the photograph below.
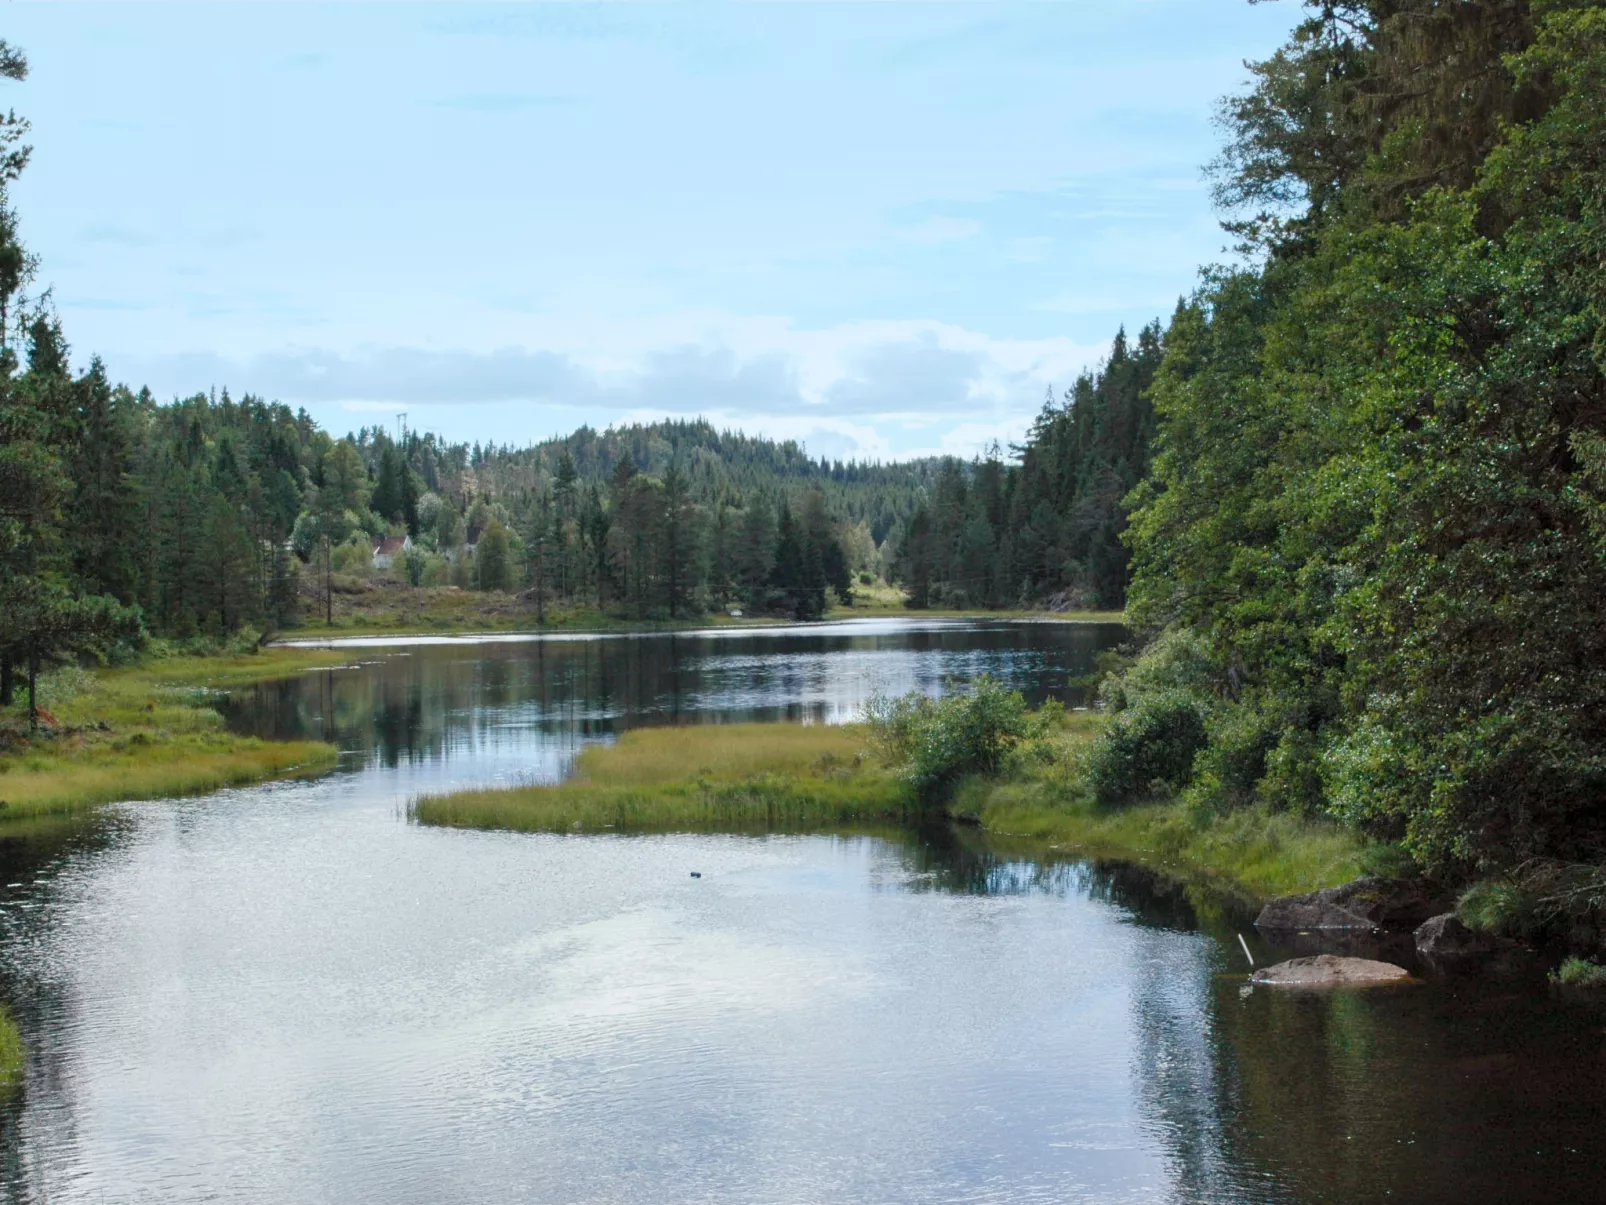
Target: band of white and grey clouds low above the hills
x=868 y=391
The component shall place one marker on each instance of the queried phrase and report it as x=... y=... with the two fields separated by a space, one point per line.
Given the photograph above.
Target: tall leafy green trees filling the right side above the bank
x=1372 y=544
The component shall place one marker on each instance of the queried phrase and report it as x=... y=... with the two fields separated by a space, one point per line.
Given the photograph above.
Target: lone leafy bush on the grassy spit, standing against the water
x=940 y=741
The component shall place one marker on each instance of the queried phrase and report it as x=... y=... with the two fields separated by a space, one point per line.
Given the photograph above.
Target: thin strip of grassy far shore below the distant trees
x=389 y=608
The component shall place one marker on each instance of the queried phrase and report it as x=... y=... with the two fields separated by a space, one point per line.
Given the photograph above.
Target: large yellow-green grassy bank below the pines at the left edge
x=147 y=732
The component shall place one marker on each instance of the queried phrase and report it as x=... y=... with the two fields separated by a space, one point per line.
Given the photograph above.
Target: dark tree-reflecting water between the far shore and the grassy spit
x=433 y=701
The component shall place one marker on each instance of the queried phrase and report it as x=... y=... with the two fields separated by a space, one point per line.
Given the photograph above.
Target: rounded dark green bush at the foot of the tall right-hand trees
x=1147 y=750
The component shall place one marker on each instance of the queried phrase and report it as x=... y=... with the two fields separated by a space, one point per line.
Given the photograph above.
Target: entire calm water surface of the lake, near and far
x=290 y=994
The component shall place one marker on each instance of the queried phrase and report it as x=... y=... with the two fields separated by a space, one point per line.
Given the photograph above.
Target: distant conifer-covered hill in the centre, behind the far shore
x=664 y=520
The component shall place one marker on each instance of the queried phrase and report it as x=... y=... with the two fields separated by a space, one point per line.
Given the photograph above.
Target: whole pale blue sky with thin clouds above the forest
x=886 y=231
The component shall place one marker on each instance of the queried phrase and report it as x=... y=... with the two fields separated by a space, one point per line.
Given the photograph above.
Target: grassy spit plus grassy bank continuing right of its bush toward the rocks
x=794 y=777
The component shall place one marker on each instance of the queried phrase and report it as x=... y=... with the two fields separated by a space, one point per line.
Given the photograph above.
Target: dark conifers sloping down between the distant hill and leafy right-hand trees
x=1048 y=528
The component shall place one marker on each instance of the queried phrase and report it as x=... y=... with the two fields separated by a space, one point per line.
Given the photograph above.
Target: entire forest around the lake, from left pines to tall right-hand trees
x=1353 y=492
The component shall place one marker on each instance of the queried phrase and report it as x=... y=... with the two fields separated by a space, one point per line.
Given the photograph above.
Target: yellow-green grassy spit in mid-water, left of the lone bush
x=712 y=778
